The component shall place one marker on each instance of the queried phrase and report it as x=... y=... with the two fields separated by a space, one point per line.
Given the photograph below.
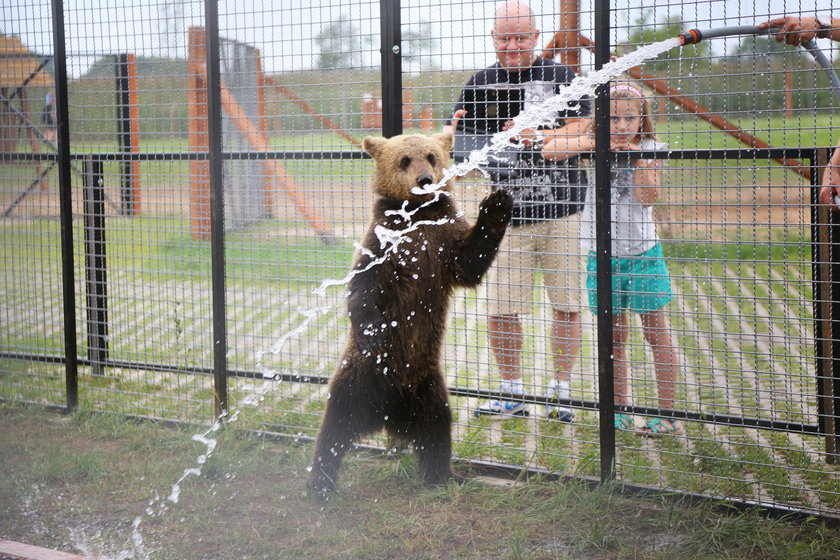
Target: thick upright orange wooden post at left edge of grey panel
x=199 y=140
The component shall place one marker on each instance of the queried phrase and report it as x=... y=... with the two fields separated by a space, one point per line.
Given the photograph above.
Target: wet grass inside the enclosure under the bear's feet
x=108 y=487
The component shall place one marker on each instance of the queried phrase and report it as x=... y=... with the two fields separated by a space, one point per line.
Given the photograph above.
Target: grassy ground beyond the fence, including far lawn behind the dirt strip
x=743 y=319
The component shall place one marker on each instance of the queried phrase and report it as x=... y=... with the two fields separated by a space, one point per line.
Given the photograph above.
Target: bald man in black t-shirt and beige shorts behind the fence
x=548 y=196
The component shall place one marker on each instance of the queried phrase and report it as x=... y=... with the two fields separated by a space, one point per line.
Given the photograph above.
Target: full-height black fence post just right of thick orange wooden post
x=217 y=207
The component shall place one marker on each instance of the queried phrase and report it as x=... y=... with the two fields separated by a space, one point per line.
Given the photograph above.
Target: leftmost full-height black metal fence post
x=66 y=206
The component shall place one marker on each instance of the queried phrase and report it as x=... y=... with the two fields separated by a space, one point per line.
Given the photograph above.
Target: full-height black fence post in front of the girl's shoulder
x=603 y=247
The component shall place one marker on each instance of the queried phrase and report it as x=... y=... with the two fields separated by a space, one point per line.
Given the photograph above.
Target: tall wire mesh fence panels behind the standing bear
x=122 y=289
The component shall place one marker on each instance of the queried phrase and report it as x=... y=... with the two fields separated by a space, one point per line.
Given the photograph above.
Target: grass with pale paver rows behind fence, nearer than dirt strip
x=758 y=294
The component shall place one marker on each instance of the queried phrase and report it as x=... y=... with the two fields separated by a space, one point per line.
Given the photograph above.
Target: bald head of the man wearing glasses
x=515 y=35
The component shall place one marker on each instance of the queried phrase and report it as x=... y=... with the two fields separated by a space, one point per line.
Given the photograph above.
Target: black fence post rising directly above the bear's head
x=391 y=53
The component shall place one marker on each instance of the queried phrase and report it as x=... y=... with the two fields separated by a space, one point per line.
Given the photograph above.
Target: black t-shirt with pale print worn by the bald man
x=541 y=189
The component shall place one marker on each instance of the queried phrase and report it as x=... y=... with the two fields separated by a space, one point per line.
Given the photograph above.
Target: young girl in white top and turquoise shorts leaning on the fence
x=640 y=278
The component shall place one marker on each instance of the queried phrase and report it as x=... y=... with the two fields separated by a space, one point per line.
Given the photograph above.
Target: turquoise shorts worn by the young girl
x=640 y=283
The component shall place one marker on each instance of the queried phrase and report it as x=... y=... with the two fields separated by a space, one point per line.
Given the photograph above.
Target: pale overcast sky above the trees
x=284 y=30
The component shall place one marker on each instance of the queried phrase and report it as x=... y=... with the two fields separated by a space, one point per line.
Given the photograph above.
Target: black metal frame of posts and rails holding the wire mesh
x=825 y=255
